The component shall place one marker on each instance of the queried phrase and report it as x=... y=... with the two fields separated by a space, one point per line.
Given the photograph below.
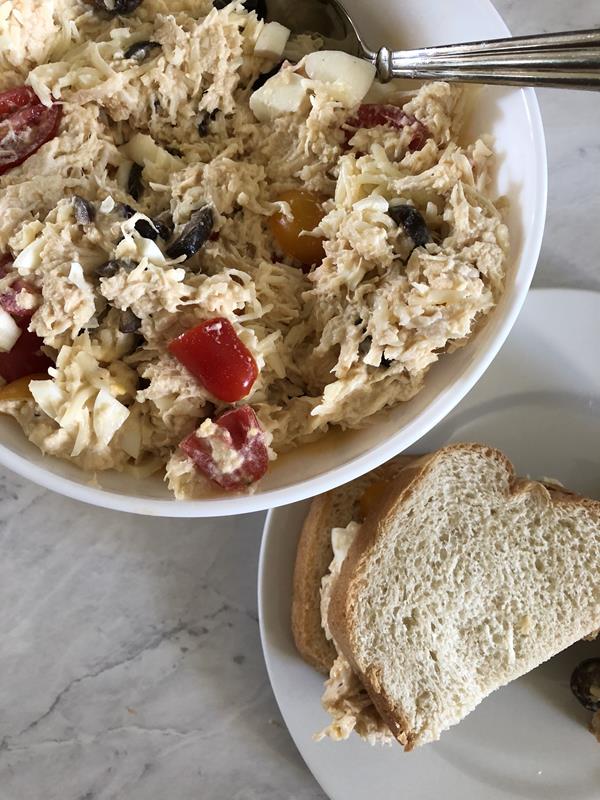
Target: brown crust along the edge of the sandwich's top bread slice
x=345 y=594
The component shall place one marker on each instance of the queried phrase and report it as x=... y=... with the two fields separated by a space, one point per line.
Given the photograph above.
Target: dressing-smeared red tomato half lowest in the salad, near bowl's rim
x=240 y=430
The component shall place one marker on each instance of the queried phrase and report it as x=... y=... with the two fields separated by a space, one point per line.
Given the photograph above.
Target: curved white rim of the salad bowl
x=434 y=412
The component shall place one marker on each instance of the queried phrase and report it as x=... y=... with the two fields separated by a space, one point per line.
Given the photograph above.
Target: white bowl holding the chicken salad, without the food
x=513 y=117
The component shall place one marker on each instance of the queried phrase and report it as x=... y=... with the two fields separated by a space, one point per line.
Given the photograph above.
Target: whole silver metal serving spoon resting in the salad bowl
x=559 y=60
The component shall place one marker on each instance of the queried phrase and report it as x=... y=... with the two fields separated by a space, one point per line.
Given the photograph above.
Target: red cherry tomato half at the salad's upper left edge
x=25 y=125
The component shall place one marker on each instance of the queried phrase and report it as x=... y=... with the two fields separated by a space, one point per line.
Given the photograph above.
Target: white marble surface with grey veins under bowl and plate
x=130 y=661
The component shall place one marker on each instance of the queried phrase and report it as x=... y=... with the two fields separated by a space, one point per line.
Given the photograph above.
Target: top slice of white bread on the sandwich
x=465 y=579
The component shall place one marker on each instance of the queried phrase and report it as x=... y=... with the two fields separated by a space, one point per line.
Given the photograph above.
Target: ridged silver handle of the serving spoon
x=562 y=60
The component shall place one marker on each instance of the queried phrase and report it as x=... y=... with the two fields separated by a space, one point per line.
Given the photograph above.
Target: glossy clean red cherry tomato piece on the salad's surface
x=216 y=356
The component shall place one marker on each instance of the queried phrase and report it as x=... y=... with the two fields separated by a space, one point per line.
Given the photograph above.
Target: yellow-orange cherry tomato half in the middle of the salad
x=307 y=213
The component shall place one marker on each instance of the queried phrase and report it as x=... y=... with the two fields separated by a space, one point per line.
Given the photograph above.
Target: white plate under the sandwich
x=540 y=403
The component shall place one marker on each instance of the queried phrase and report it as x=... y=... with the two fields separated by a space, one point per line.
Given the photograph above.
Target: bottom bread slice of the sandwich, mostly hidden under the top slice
x=335 y=509
